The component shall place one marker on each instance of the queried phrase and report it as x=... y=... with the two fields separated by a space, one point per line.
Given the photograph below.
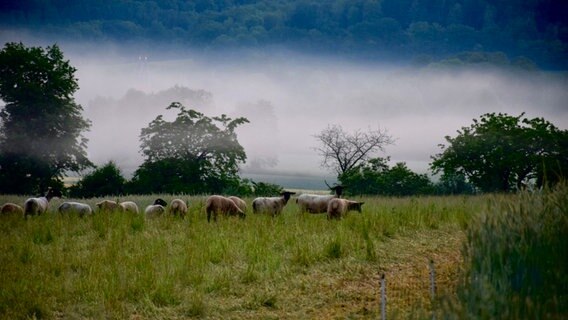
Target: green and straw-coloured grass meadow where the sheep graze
x=294 y=266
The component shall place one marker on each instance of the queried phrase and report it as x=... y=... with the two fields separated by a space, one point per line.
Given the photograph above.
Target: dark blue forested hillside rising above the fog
x=410 y=30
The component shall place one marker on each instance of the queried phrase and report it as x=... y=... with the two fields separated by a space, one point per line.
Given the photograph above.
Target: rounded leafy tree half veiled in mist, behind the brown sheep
x=192 y=154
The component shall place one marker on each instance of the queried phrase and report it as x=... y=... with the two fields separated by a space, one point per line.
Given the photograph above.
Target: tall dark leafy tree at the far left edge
x=41 y=125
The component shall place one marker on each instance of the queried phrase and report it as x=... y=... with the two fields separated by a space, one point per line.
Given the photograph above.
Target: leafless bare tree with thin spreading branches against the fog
x=342 y=151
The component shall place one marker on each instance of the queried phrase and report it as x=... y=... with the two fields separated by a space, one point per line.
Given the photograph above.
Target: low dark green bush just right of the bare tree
x=375 y=177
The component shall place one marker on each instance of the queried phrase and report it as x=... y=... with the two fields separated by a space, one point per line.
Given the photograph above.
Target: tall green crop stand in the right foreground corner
x=516 y=259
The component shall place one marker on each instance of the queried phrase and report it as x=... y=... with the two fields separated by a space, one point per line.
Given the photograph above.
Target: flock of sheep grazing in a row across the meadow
x=333 y=205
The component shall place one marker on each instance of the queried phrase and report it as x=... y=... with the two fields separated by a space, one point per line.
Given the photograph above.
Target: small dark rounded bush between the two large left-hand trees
x=103 y=181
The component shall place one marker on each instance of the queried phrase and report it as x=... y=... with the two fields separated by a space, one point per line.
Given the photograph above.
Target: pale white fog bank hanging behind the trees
x=289 y=98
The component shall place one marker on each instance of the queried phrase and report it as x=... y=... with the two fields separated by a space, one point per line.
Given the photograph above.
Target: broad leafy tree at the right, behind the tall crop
x=502 y=153
